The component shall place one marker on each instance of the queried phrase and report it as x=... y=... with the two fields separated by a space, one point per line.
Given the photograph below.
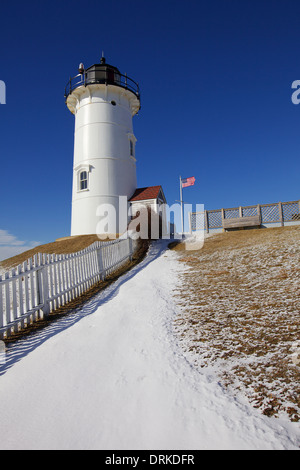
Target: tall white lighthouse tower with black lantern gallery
x=104 y=102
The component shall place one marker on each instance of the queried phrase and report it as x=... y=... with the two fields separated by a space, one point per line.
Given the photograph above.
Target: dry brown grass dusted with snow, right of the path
x=240 y=313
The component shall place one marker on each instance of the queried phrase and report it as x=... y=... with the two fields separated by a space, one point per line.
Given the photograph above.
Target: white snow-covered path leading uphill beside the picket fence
x=111 y=376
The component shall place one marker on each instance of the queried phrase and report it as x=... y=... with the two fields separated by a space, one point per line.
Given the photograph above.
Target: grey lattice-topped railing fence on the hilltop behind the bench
x=280 y=214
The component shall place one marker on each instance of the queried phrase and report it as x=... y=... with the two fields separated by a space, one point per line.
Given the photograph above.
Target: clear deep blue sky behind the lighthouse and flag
x=215 y=79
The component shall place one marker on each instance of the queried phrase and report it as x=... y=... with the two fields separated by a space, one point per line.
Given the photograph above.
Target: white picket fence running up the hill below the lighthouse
x=45 y=282
